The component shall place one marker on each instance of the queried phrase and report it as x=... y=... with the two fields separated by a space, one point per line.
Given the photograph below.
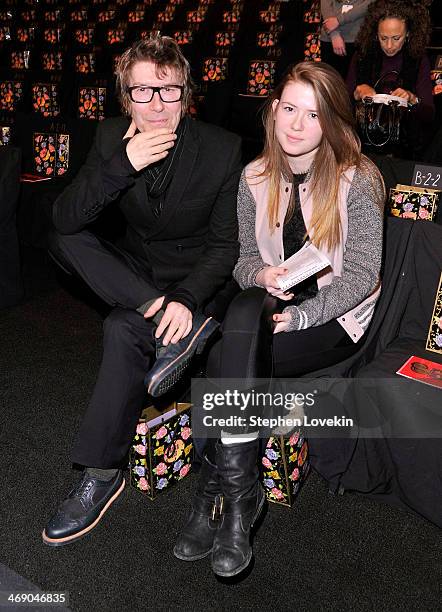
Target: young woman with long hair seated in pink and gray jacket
x=310 y=182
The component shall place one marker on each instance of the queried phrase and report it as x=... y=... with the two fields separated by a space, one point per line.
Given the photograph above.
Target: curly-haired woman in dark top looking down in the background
x=391 y=59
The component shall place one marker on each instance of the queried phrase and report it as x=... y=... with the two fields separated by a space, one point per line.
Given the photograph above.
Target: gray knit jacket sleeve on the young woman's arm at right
x=362 y=256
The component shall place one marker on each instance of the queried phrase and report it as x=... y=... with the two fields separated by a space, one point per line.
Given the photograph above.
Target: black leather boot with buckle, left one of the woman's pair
x=196 y=539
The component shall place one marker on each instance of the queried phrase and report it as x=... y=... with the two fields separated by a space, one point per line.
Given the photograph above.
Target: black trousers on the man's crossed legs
x=128 y=346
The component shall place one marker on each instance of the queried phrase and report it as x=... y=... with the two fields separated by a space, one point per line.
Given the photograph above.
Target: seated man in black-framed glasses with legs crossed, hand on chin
x=175 y=180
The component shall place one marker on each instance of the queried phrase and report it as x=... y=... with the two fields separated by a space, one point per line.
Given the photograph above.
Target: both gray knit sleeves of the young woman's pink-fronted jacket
x=362 y=250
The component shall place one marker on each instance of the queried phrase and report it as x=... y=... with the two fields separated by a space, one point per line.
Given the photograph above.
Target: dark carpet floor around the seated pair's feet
x=326 y=553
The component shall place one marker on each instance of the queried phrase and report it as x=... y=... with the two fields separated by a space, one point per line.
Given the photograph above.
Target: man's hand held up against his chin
x=146 y=148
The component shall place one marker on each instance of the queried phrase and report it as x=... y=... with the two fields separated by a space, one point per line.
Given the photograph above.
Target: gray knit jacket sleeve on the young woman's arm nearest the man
x=249 y=262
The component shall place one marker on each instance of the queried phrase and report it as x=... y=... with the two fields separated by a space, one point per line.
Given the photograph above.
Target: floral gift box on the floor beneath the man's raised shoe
x=161 y=453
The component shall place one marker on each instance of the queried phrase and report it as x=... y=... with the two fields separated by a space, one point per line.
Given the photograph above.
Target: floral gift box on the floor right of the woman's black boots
x=285 y=466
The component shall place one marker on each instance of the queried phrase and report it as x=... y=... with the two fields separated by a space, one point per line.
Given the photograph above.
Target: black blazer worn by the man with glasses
x=193 y=245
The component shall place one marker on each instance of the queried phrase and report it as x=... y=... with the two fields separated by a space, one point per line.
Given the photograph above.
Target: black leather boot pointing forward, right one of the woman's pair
x=243 y=501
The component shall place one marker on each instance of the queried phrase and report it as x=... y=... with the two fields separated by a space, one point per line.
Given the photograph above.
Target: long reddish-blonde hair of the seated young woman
x=340 y=149
